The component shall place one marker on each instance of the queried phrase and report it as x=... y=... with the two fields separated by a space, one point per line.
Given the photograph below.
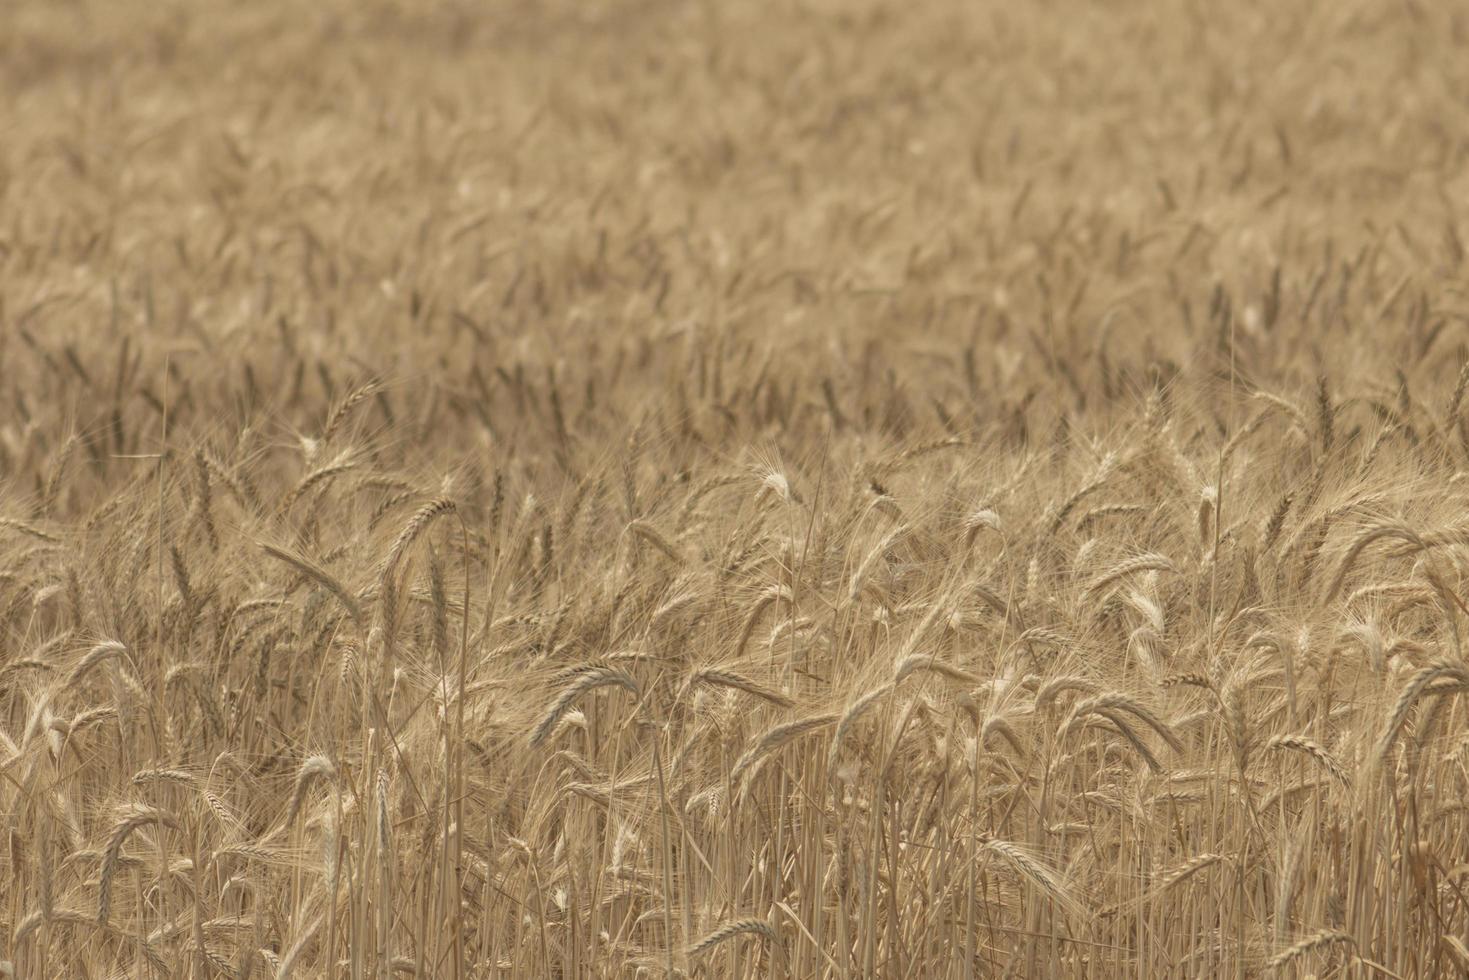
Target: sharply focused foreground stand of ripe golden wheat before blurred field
x=1173 y=703
